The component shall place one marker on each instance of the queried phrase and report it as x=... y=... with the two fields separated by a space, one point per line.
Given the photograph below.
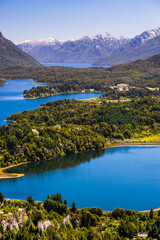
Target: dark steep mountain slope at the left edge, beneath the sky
x=11 y=55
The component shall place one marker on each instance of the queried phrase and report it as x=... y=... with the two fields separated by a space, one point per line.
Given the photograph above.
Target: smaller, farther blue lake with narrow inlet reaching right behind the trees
x=12 y=100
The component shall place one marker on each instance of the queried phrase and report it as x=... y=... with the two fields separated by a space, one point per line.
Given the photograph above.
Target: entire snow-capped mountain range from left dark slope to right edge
x=103 y=49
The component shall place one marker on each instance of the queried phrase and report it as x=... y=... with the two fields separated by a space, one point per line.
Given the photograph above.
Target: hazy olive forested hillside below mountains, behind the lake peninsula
x=139 y=73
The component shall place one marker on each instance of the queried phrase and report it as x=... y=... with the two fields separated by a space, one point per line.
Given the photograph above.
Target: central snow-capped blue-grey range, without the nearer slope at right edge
x=86 y=49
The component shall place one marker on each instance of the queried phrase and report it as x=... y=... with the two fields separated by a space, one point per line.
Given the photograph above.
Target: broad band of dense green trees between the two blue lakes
x=71 y=126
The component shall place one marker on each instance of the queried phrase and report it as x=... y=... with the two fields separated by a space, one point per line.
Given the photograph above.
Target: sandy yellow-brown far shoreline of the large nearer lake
x=4 y=175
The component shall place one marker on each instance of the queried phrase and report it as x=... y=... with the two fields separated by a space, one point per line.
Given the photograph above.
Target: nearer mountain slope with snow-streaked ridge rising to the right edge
x=141 y=47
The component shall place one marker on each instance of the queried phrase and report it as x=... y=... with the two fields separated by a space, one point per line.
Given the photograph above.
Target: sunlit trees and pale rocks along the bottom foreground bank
x=53 y=219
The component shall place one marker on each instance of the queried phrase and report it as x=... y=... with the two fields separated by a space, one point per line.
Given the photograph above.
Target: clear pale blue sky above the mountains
x=72 y=19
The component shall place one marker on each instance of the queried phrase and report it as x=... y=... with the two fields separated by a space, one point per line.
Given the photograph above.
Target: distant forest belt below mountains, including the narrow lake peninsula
x=138 y=74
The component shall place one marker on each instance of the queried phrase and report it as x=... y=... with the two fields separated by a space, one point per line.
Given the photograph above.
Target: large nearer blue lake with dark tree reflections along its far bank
x=125 y=177
